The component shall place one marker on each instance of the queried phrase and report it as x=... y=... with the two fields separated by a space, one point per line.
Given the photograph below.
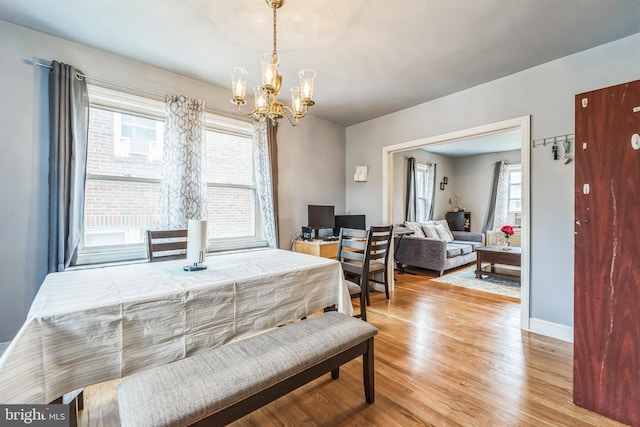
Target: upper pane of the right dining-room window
x=229 y=159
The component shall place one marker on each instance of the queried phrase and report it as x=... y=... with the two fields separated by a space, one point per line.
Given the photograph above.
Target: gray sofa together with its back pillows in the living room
x=435 y=247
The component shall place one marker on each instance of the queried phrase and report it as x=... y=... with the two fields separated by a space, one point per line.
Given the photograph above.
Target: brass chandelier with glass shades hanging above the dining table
x=266 y=96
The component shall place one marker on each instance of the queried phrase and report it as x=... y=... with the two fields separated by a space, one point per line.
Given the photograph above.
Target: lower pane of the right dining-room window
x=231 y=212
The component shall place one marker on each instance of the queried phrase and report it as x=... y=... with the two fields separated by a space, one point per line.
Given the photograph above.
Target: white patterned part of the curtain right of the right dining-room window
x=264 y=181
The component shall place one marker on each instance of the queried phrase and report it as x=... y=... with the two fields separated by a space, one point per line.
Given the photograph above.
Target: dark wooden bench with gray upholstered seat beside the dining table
x=229 y=382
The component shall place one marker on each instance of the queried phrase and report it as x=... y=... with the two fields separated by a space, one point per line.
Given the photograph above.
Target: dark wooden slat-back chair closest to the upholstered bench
x=353 y=253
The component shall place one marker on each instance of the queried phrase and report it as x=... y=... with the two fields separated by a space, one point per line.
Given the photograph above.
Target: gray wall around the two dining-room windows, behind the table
x=24 y=158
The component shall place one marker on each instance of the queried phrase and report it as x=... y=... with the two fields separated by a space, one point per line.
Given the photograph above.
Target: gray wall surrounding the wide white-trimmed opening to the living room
x=547 y=94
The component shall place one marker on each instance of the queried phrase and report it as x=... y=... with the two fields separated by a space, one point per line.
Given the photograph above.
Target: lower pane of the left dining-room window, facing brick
x=119 y=212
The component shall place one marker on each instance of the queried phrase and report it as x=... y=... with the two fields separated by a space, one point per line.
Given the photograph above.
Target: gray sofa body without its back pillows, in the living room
x=437 y=254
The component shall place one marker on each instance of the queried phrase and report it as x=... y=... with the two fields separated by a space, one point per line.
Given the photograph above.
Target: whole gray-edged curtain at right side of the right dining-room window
x=266 y=173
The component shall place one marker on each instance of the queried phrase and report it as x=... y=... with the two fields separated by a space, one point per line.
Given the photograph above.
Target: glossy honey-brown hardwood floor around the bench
x=445 y=356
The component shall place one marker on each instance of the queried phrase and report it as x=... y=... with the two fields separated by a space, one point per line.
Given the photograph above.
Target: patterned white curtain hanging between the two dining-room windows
x=183 y=193
